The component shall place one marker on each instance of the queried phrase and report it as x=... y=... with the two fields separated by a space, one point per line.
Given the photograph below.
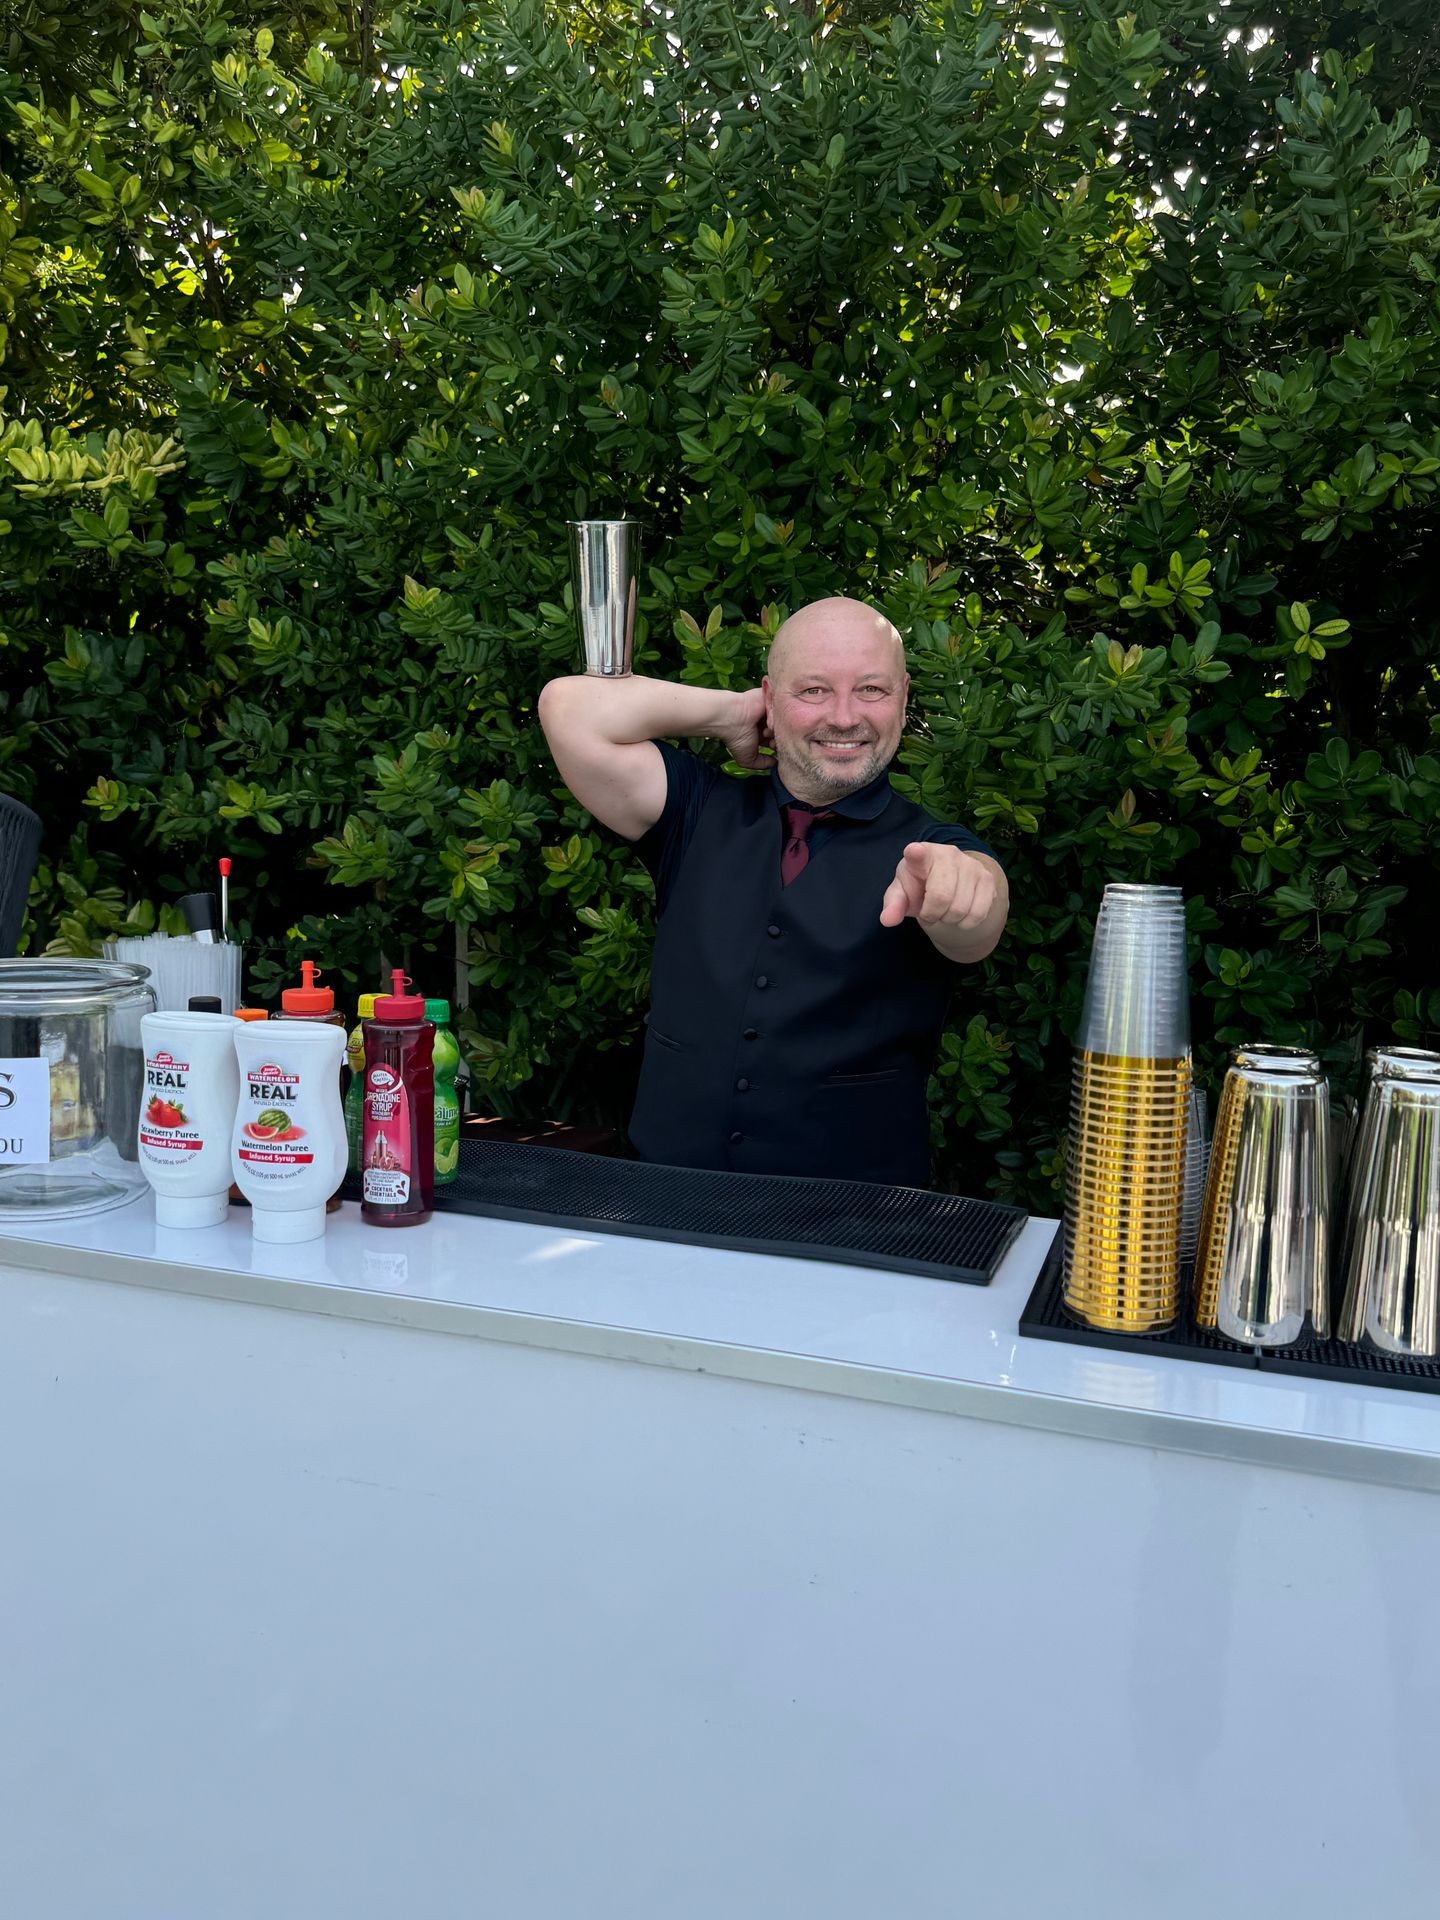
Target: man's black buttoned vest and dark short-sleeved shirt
x=788 y=1030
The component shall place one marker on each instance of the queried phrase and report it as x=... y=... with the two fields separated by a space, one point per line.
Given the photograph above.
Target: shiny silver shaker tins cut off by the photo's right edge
x=1391 y=1251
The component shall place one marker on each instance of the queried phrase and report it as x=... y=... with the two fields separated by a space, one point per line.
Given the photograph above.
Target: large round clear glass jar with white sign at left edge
x=84 y=1020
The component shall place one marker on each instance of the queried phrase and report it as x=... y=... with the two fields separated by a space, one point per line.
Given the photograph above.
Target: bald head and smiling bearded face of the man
x=834 y=692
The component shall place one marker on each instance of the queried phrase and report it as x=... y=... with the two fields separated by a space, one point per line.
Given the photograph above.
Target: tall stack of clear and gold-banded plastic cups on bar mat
x=1128 y=1116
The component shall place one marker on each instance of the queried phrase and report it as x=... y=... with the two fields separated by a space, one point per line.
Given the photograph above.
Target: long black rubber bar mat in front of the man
x=901 y=1230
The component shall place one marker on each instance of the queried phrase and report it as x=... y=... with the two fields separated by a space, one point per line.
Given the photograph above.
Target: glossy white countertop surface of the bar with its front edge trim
x=802 y=1324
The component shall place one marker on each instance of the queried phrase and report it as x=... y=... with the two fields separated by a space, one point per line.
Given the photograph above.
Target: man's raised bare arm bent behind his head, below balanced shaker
x=604 y=734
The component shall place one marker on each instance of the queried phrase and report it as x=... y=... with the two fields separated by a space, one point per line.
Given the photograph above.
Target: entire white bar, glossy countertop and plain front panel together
x=489 y=1570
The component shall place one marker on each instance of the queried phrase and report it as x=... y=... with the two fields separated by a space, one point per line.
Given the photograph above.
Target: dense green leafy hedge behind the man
x=1095 y=341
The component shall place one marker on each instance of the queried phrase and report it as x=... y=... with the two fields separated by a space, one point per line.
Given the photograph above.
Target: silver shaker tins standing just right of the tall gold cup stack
x=1262 y=1264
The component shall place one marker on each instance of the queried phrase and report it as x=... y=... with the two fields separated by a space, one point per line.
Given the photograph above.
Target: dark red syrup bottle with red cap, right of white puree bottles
x=398 y=1141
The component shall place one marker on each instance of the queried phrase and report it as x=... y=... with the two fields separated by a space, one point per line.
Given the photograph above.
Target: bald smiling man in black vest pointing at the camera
x=811 y=926
